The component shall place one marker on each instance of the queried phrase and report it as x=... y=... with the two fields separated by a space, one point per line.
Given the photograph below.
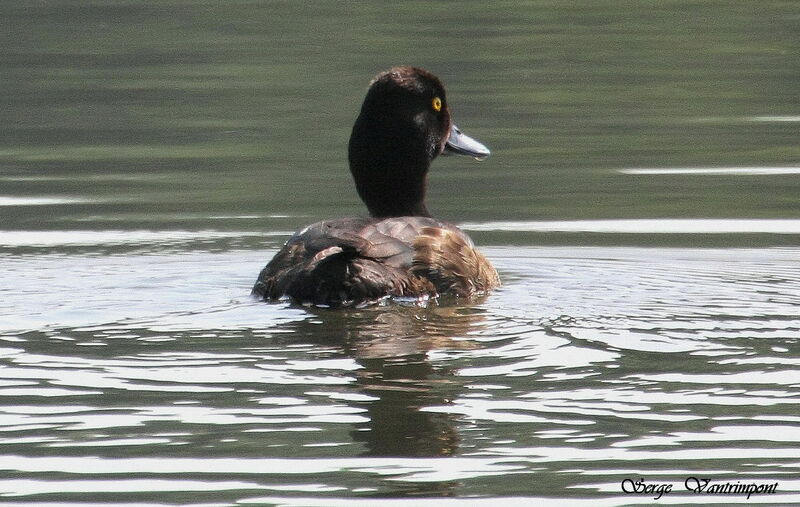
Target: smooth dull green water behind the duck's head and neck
x=158 y=109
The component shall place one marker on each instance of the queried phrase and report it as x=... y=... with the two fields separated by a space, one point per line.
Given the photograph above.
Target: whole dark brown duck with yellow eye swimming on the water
x=400 y=251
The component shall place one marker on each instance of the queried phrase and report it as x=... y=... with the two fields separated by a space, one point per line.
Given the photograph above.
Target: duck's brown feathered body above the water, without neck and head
x=354 y=261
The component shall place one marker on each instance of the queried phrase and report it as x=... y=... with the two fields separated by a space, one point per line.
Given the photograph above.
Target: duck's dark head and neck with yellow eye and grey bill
x=403 y=125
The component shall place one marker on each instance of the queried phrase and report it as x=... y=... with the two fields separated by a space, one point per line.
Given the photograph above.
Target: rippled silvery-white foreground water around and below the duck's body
x=589 y=366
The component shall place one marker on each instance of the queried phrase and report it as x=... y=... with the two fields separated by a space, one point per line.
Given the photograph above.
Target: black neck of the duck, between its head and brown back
x=390 y=171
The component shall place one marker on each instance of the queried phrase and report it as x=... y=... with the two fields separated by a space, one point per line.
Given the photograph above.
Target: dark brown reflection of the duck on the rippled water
x=391 y=348
